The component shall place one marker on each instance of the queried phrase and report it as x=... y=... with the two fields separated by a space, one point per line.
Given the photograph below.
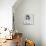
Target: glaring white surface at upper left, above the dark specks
x=6 y=13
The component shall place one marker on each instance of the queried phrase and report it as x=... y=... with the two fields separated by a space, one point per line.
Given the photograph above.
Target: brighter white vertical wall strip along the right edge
x=43 y=22
